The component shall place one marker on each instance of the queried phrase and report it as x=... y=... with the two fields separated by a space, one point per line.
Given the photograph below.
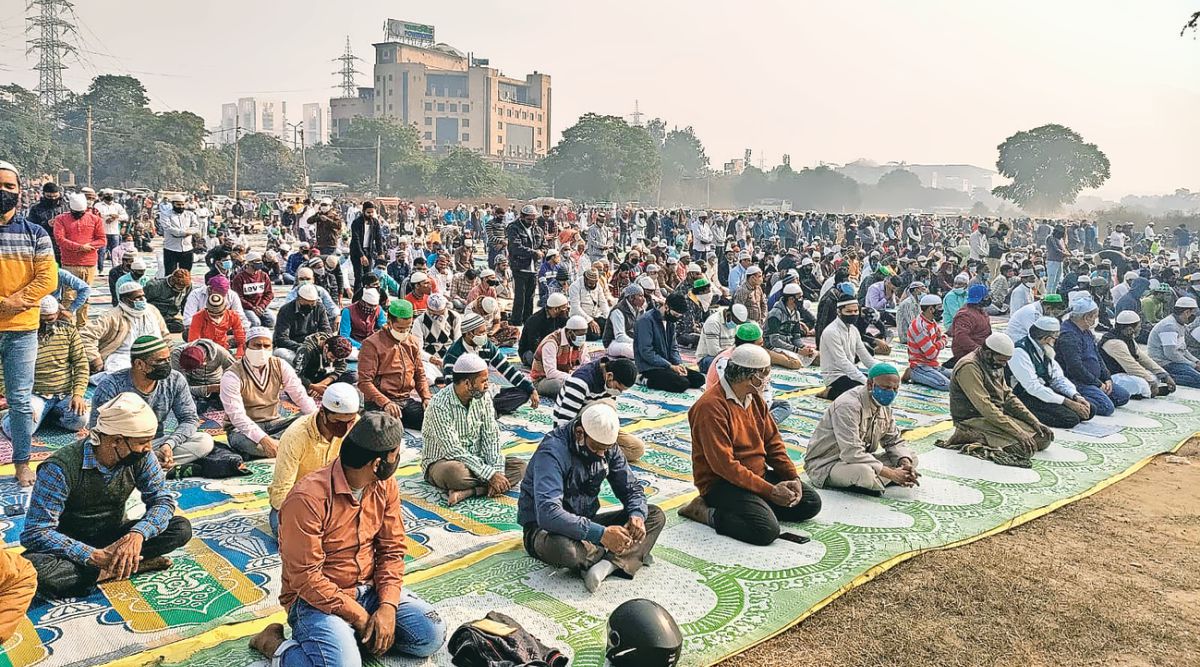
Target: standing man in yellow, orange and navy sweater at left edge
x=28 y=273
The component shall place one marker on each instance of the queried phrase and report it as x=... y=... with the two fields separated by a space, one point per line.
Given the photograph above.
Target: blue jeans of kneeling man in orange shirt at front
x=326 y=640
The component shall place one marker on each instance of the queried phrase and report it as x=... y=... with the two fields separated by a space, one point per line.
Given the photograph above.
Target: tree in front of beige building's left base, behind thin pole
x=404 y=167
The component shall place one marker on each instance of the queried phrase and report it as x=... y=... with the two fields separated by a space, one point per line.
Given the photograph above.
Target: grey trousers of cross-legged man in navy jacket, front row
x=577 y=555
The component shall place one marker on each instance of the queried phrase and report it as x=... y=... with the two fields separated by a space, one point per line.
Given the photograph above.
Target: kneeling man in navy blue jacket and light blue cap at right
x=1081 y=359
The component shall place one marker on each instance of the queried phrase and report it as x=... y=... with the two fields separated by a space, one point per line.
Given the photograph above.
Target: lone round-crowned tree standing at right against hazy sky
x=1049 y=167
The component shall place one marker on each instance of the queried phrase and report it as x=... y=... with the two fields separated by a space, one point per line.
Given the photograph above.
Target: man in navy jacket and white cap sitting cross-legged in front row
x=560 y=504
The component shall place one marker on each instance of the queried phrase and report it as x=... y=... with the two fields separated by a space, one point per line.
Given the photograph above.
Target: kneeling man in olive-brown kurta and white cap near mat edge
x=989 y=420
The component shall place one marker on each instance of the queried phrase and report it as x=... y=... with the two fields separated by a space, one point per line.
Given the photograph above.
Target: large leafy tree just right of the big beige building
x=603 y=158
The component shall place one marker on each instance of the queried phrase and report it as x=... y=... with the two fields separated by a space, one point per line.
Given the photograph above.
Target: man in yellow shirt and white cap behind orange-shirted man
x=311 y=443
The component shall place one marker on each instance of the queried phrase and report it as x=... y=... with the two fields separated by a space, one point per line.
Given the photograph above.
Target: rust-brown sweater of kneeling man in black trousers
x=736 y=444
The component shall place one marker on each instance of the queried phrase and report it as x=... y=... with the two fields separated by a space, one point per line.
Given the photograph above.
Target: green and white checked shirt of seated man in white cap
x=465 y=434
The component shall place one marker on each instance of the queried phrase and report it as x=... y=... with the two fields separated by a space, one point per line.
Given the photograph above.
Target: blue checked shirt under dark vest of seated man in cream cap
x=50 y=497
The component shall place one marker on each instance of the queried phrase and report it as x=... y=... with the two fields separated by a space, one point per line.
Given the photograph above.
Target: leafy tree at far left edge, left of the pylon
x=27 y=137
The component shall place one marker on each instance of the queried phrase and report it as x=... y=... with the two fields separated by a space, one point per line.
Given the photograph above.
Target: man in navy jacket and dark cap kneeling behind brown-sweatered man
x=656 y=352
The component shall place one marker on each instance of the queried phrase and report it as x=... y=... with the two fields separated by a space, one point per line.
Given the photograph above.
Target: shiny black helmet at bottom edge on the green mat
x=643 y=634
